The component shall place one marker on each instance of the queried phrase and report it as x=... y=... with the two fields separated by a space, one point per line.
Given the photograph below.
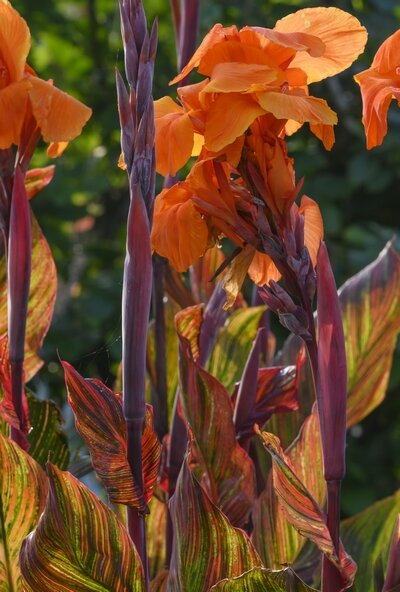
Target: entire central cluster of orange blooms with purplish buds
x=242 y=185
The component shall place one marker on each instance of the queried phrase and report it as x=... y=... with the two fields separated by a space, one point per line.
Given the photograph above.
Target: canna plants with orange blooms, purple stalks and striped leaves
x=206 y=507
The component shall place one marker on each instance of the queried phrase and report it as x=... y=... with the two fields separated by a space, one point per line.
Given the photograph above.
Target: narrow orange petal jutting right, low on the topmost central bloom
x=301 y=108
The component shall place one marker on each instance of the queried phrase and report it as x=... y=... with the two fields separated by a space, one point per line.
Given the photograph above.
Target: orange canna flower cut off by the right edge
x=379 y=85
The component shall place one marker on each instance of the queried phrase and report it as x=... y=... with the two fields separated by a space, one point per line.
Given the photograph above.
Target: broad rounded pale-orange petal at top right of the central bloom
x=342 y=34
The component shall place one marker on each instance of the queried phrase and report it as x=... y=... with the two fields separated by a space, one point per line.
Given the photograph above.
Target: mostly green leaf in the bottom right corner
x=367 y=536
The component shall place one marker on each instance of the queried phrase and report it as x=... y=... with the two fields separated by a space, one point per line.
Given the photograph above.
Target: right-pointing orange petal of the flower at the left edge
x=59 y=116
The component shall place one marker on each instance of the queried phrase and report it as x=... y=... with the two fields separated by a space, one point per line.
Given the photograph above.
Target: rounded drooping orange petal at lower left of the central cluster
x=179 y=232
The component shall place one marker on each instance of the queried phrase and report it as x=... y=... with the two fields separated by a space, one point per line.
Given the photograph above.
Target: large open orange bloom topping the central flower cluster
x=256 y=71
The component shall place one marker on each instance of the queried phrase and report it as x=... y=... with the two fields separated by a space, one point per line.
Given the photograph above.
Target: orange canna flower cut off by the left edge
x=59 y=116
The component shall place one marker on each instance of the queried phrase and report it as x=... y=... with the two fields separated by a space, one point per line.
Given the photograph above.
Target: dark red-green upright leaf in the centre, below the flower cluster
x=208 y=410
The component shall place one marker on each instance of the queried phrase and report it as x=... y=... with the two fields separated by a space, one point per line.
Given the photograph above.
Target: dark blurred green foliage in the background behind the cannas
x=77 y=43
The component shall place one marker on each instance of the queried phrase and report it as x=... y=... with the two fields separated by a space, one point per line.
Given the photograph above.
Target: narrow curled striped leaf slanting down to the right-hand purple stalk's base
x=302 y=511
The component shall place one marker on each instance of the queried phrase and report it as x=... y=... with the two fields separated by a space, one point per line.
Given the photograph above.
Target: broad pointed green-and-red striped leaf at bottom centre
x=207 y=548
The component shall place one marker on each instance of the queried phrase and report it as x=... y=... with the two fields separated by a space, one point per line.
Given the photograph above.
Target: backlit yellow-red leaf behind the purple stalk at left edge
x=42 y=296
